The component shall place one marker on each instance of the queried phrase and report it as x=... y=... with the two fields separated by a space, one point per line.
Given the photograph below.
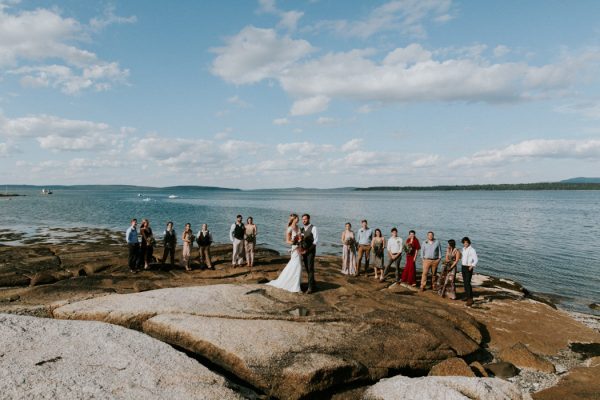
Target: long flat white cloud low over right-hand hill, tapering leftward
x=529 y=149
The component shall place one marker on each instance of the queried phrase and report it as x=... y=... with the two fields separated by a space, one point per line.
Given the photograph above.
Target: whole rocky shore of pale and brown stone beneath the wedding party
x=75 y=323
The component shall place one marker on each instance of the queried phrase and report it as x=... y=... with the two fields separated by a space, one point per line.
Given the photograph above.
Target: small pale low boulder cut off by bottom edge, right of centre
x=444 y=388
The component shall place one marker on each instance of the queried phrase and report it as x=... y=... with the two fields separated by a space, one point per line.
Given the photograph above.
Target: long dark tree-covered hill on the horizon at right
x=516 y=186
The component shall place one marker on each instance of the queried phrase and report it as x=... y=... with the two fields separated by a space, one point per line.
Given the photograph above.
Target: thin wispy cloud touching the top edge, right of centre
x=405 y=16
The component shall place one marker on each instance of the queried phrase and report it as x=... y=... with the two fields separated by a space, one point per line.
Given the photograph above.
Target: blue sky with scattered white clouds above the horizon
x=316 y=93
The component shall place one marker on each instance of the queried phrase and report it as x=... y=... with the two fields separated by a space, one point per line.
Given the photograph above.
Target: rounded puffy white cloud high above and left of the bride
x=255 y=54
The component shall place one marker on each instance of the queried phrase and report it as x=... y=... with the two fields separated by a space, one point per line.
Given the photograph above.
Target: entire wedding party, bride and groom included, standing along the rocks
x=359 y=250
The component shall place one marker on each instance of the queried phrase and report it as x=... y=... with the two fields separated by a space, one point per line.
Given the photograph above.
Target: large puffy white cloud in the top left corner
x=29 y=39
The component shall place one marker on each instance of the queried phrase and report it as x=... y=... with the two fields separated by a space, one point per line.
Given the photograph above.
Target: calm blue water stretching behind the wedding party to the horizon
x=547 y=240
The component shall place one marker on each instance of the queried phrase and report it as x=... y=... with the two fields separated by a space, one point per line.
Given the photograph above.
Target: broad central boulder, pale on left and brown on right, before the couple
x=275 y=340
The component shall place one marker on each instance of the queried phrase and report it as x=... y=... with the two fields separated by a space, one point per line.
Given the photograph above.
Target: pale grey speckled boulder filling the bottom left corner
x=49 y=359
